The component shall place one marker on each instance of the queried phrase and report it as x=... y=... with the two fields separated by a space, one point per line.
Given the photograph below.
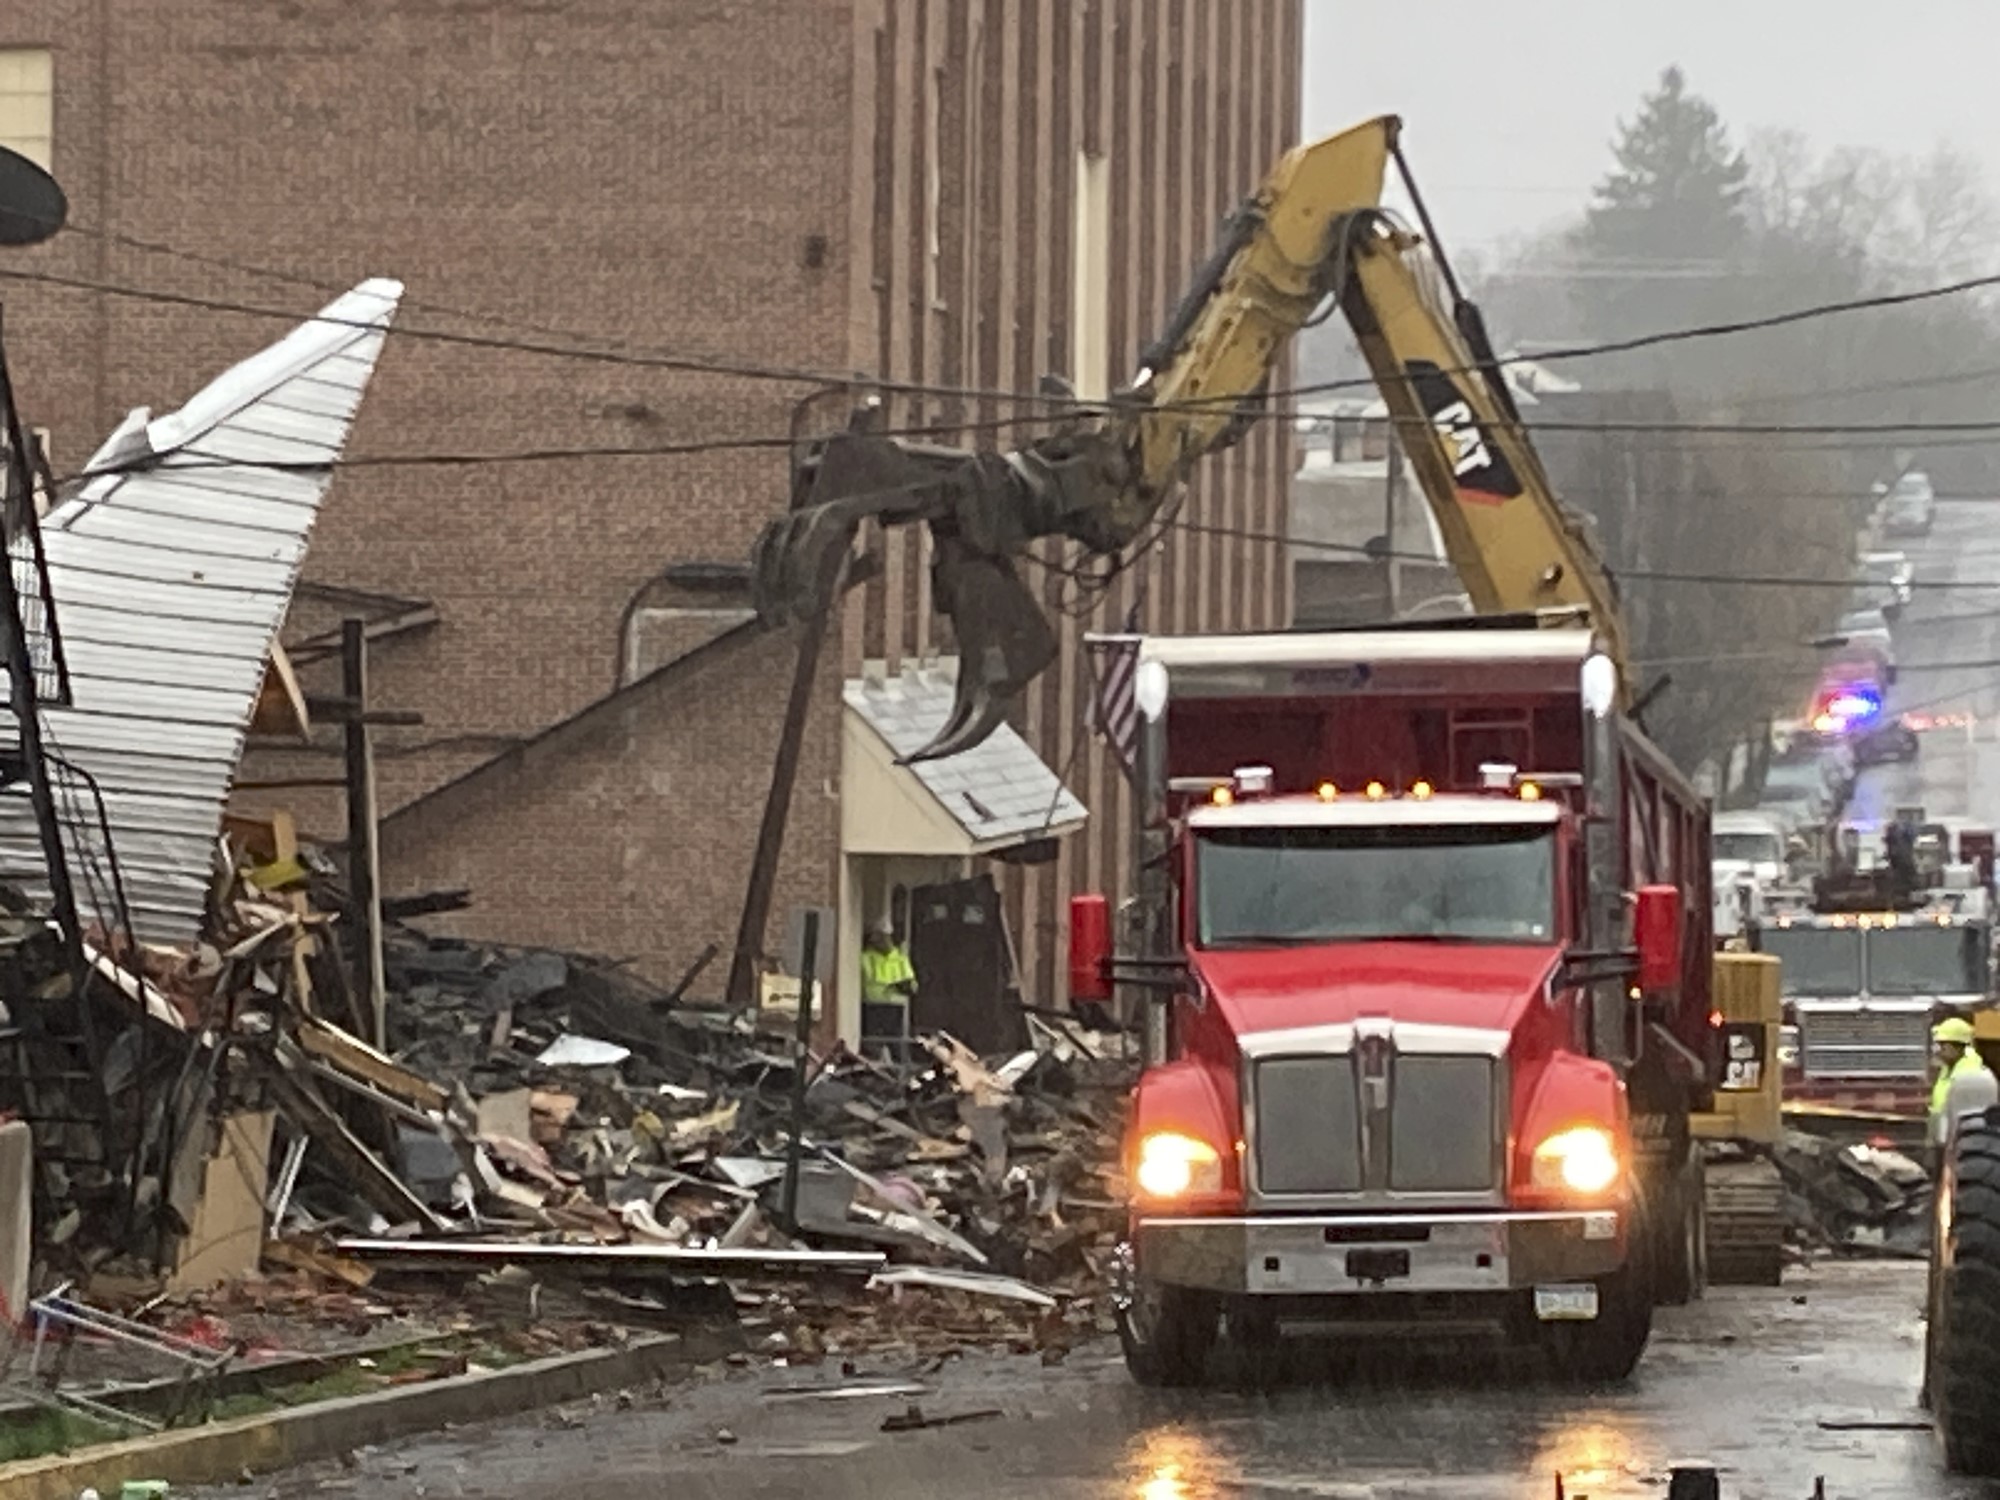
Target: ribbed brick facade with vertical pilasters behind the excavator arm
x=991 y=101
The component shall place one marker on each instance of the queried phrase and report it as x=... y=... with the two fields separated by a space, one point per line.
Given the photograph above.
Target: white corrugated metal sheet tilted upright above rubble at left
x=173 y=577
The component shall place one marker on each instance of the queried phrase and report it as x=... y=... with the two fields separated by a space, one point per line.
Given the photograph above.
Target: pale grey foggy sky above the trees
x=1509 y=109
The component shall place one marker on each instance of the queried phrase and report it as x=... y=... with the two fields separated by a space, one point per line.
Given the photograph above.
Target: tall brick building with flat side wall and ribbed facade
x=951 y=193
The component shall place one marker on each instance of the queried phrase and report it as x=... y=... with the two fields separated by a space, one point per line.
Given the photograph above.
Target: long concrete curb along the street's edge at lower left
x=225 y=1451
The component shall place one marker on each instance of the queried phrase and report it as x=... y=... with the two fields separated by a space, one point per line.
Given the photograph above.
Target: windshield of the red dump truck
x=1263 y=887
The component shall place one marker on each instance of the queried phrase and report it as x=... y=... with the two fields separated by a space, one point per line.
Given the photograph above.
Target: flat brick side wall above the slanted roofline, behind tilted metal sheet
x=667 y=175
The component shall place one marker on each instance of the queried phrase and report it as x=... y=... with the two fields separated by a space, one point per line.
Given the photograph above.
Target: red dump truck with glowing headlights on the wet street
x=1423 y=941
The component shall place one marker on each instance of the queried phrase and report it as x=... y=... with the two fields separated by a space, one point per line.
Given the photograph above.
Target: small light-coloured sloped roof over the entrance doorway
x=999 y=791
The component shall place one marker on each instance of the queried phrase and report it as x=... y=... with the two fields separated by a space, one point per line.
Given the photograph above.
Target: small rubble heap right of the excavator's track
x=1855 y=1199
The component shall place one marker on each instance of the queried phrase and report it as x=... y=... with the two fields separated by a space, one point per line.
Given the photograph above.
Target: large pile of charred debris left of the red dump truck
x=553 y=1117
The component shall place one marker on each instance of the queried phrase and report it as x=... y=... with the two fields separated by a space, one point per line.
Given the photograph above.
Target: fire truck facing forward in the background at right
x=1873 y=963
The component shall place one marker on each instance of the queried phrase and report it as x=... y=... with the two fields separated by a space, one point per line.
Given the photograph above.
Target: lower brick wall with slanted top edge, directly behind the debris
x=629 y=833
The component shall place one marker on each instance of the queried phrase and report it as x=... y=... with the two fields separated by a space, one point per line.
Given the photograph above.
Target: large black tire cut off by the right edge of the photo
x=1965 y=1319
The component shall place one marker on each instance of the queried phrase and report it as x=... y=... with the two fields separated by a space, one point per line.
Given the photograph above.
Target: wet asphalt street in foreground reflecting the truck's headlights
x=1759 y=1383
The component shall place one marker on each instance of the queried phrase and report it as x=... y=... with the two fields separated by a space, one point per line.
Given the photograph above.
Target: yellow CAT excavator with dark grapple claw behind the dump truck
x=1315 y=237
